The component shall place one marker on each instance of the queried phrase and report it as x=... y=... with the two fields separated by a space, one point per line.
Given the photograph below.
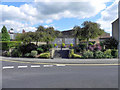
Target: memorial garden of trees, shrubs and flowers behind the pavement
x=78 y=45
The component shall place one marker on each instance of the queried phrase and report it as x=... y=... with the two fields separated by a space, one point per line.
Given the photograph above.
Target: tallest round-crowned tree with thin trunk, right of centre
x=90 y=30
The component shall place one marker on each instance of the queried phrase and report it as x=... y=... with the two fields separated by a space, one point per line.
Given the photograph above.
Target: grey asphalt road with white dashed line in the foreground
x=29 y=75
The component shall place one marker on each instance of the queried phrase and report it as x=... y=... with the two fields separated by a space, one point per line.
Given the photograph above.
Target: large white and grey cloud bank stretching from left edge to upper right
x=46 y=11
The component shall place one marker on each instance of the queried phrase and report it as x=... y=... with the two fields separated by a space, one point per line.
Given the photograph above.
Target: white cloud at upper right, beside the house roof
x=109 y=15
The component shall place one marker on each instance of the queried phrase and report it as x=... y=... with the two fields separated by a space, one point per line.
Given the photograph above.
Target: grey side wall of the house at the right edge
x=115 y=29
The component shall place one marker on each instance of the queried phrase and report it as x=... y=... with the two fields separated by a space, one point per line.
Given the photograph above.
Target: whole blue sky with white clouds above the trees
x=62 y=15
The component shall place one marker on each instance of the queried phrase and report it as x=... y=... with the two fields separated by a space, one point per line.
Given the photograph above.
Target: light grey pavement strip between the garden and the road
x=64 y=61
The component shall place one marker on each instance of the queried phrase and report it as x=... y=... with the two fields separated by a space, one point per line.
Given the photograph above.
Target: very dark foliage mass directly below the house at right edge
x=111 y=43
